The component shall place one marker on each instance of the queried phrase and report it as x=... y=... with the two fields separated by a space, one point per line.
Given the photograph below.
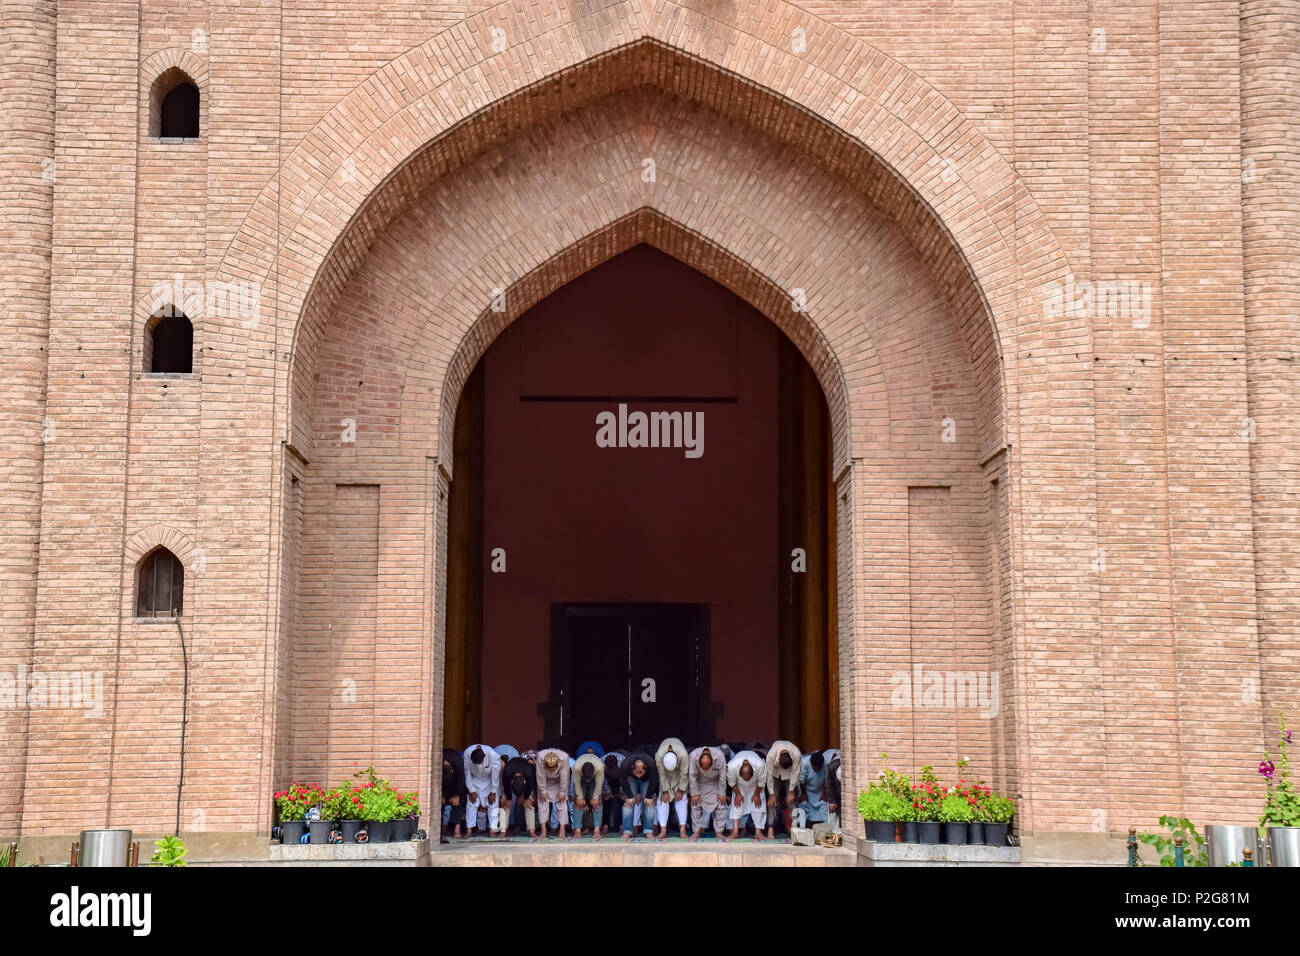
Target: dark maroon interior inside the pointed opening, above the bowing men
x=544 y=513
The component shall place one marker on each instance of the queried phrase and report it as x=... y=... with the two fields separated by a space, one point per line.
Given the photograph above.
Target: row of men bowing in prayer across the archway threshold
x=736 y=788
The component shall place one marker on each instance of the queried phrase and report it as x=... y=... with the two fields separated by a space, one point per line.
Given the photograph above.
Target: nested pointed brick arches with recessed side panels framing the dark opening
x=911 y=293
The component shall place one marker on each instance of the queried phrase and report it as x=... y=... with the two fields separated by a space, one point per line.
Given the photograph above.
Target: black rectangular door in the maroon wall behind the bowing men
x=629 y=674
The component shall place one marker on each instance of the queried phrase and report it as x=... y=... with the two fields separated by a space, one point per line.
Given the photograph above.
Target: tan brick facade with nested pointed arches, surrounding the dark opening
x=1042 y=256
